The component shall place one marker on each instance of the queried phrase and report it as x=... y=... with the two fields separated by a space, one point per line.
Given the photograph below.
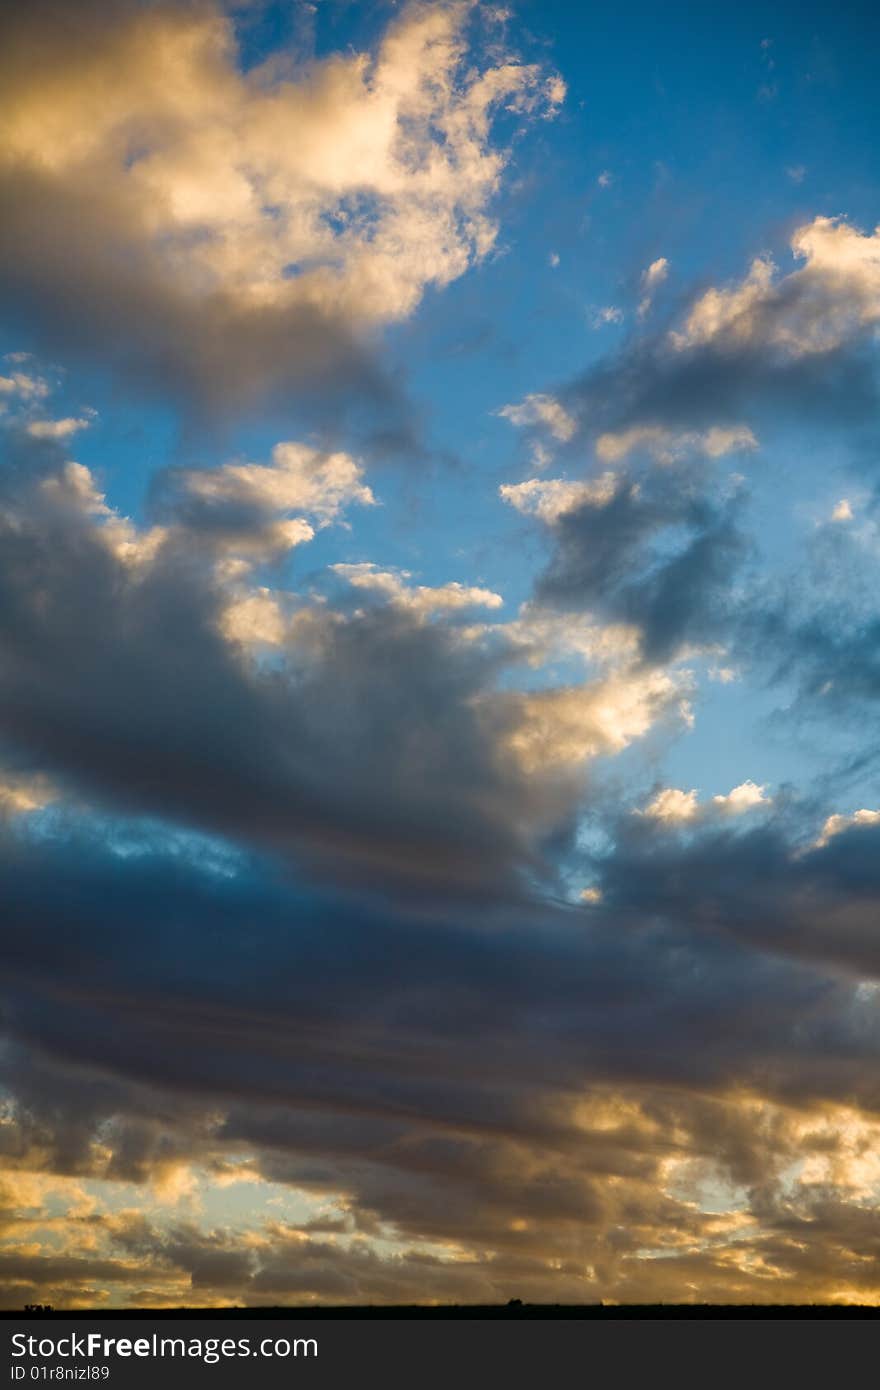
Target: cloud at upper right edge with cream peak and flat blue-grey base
x=768 y=351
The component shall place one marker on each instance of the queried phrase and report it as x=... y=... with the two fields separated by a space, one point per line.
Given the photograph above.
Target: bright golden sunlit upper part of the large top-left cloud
x=350 y=190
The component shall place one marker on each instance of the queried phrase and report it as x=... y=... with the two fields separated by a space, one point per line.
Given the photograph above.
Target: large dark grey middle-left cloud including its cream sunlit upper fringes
x=131 y=669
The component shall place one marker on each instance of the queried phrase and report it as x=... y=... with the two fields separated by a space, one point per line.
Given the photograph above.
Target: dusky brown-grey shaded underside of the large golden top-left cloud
x=213 y=358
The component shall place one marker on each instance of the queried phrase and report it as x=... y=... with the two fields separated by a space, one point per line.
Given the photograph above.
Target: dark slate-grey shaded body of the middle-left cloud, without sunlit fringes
x=361 y=747
